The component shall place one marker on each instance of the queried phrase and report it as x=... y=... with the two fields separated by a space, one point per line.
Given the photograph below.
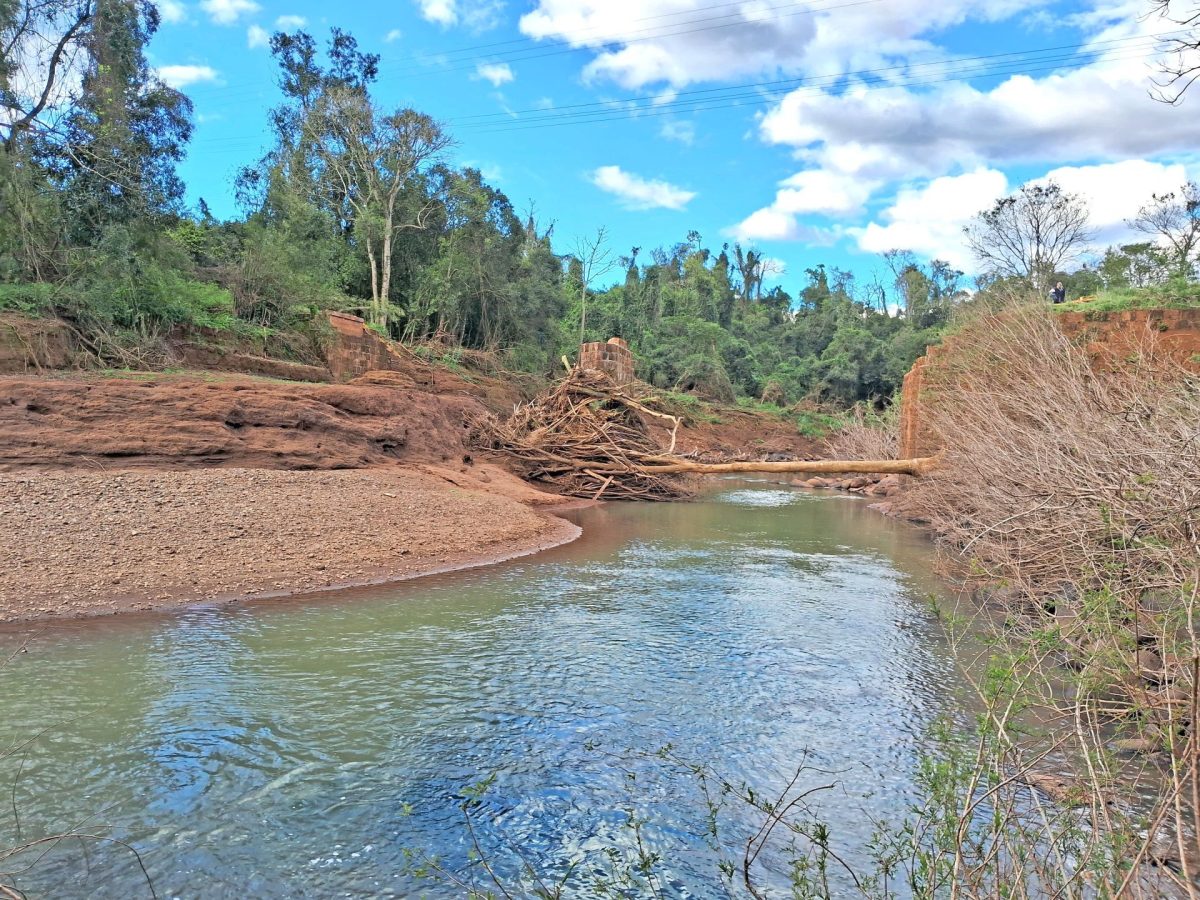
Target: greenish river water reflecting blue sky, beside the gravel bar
x=297 y=748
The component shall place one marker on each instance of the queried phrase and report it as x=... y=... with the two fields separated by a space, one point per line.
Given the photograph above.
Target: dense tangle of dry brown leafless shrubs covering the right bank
x=1077 y=491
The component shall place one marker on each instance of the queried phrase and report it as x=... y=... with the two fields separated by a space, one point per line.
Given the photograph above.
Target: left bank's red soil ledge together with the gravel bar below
x=123 y=494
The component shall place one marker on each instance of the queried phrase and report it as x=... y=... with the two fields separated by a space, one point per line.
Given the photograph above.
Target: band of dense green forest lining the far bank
x=359 y=208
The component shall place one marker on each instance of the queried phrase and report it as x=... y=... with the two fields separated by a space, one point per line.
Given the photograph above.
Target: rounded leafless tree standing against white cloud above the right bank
x=1031 y=235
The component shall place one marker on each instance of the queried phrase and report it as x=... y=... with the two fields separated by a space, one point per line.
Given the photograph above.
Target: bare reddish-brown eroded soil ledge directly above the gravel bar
x=188 y=422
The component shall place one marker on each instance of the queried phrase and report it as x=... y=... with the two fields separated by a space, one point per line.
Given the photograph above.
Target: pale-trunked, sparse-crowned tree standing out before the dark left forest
x=369 y=160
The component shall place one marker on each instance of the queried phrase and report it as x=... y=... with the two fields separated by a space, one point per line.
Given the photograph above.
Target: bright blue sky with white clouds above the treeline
x=819 y=131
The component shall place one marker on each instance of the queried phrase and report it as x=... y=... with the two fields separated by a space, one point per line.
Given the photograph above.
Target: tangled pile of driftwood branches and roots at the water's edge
x=589 y=437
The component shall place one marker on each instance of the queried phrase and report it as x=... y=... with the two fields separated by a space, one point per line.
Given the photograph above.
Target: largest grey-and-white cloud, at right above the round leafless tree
x=923 y=145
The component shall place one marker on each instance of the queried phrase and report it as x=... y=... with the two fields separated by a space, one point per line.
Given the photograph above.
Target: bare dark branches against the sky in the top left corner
x=39 y=43
